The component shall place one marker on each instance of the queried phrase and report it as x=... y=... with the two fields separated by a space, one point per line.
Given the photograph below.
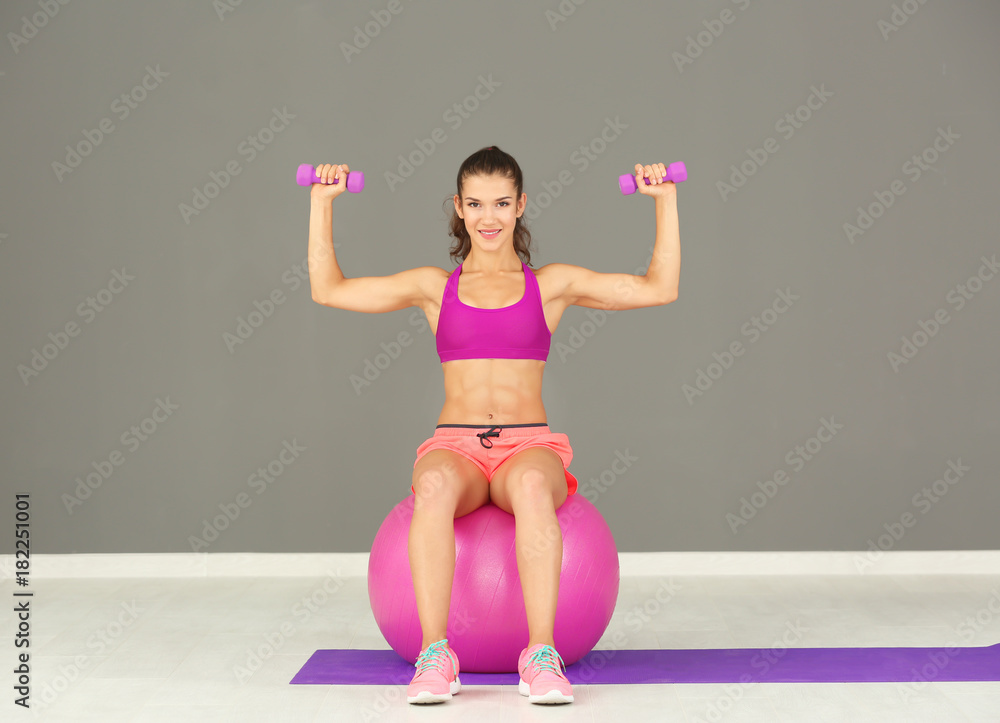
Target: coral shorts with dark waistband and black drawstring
x=489 y=447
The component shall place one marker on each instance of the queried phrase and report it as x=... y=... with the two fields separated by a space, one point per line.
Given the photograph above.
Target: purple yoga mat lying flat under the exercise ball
x=736 y=665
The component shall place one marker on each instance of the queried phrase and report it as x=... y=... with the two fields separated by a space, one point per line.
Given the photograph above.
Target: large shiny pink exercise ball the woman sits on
x=487 y=626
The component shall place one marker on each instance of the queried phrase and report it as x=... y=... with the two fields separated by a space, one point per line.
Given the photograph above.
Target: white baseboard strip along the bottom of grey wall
x=633 y=564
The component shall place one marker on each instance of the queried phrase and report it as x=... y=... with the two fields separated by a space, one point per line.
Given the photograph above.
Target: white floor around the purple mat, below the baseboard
x=170 y=649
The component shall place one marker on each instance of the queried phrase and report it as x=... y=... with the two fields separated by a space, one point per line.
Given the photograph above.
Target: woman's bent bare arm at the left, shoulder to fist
x=371 y=294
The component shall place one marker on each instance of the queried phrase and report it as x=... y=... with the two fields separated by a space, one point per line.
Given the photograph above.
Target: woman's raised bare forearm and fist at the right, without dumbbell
x=665 y=267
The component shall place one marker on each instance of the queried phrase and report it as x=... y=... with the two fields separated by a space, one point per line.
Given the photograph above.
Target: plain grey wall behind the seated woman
x=890 y=89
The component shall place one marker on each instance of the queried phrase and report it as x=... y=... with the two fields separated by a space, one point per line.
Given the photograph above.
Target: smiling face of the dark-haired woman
x=490 y=209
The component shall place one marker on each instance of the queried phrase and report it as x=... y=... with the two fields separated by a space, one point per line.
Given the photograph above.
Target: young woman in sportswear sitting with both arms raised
x=493 y=319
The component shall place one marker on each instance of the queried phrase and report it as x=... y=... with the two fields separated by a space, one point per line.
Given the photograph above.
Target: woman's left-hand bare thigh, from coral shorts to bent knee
x=445 y=477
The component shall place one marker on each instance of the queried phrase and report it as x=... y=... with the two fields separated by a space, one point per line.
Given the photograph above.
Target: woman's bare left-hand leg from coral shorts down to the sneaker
x=446 y=485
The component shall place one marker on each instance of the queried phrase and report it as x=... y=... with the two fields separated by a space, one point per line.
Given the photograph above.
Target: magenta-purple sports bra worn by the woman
x=517 y=331
